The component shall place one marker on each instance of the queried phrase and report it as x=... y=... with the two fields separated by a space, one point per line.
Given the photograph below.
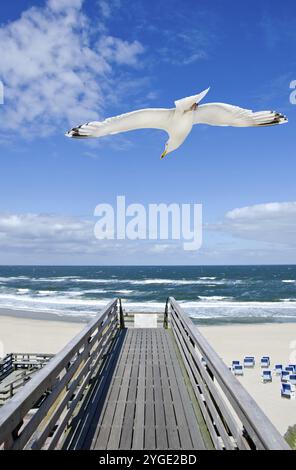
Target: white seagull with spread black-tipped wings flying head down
x=178 y=121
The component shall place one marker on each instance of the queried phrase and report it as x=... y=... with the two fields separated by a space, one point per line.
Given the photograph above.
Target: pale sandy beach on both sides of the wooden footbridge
x=25 y=332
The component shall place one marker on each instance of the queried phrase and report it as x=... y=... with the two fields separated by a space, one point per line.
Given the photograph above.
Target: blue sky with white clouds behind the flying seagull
x=65 y=62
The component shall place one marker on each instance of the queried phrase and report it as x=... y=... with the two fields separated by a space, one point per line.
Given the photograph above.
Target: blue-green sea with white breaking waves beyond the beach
x=209 y=294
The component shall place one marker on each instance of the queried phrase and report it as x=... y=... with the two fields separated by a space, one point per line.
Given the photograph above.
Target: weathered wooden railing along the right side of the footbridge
x=233 y=418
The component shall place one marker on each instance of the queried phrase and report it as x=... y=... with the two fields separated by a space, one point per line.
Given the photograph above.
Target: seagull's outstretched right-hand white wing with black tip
x=221 y=114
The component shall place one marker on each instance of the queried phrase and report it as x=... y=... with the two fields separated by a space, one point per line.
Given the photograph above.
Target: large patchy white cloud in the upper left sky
x=57 y=68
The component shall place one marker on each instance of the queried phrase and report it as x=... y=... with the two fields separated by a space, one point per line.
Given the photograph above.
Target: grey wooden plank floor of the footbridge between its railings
x=147 y=405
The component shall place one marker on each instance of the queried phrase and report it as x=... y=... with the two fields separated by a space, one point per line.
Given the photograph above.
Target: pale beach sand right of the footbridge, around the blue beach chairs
x=275 y=340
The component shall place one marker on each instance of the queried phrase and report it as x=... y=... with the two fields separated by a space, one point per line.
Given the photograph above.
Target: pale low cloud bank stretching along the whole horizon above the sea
x=261 y=232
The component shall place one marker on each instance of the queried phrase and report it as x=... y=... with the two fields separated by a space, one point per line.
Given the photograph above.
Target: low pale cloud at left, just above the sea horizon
x=55 y=234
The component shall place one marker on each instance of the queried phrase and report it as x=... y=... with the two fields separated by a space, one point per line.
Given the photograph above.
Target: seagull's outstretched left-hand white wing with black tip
x=141 y=119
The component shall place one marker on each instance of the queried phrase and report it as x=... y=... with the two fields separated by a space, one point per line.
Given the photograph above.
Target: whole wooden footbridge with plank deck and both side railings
x=115 y=386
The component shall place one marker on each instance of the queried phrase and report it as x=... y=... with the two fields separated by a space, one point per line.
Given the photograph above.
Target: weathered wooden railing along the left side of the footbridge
x=37 y=416
